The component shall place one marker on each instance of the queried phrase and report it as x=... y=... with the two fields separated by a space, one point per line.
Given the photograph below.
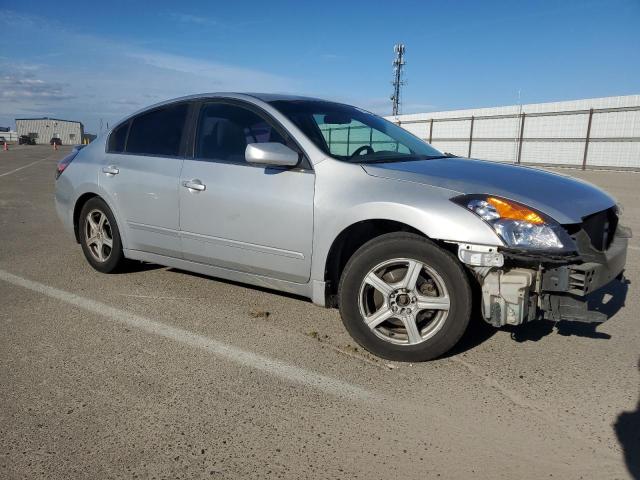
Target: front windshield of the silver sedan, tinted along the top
x=350 y=134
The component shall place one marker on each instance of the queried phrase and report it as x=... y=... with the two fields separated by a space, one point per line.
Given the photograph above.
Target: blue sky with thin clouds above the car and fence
x=87 y=62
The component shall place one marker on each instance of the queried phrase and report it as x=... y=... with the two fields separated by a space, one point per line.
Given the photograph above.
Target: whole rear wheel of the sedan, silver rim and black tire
x=100 y=237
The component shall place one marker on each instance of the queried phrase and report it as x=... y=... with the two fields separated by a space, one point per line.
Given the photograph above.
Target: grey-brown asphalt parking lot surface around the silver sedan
x=159 y=373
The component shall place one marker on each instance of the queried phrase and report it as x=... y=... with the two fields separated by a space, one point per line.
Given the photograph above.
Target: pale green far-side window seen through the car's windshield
x=345 y=139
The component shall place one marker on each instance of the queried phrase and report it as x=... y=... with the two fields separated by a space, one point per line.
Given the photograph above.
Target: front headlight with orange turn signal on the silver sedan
x=517 y=225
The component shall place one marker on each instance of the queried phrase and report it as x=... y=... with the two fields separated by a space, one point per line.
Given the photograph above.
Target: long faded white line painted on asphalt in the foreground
x=245 y=358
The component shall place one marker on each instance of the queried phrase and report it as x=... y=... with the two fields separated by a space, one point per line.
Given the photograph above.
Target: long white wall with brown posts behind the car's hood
x=596 y=132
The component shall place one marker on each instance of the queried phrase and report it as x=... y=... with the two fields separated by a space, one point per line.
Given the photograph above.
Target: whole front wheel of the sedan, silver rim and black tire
x=404 y=298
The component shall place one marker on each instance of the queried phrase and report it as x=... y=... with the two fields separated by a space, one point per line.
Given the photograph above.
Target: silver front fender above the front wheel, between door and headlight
x=346 y=195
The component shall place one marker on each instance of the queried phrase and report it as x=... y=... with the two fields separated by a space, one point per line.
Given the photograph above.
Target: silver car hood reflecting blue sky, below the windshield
x=564 y=199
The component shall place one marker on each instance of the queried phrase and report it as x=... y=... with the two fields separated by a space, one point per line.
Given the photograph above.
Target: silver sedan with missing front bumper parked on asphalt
x=336 y=204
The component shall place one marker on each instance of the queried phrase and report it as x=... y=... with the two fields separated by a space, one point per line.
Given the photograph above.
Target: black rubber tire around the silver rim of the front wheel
x=399 y=246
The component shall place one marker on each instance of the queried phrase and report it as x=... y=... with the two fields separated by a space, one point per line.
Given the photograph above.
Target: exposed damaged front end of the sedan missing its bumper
x=521 y=285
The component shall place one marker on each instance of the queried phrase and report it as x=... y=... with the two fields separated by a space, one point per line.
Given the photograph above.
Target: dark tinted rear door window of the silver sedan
x=158 y=132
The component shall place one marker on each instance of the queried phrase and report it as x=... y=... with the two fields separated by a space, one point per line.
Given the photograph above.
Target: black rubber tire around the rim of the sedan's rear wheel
x=115 y=260
